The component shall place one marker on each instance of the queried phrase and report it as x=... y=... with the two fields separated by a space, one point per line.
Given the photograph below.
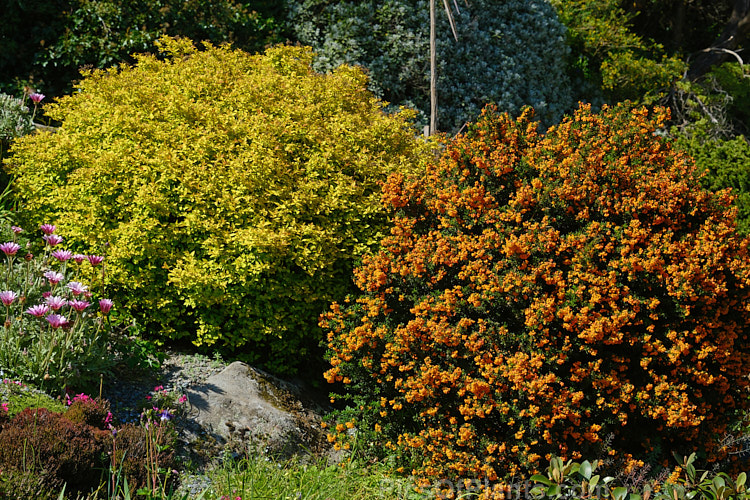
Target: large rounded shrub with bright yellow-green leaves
x=231 y=192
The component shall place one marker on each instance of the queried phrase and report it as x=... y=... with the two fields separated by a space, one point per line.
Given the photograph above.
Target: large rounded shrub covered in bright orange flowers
x=562 y=293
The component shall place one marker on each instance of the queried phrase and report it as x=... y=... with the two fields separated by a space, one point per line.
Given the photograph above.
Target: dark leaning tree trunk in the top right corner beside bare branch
x=723 y=49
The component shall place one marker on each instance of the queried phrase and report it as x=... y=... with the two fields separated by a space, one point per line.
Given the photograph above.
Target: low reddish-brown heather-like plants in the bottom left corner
x=82 y=450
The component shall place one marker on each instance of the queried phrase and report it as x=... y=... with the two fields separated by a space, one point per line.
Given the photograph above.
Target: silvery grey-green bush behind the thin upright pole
x=510 y=52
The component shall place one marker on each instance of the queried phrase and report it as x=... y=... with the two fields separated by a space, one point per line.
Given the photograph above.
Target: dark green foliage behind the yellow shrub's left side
x=44 y=43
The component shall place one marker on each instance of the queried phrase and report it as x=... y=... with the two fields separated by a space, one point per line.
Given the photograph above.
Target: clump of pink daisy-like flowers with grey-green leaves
x=51 y=335
